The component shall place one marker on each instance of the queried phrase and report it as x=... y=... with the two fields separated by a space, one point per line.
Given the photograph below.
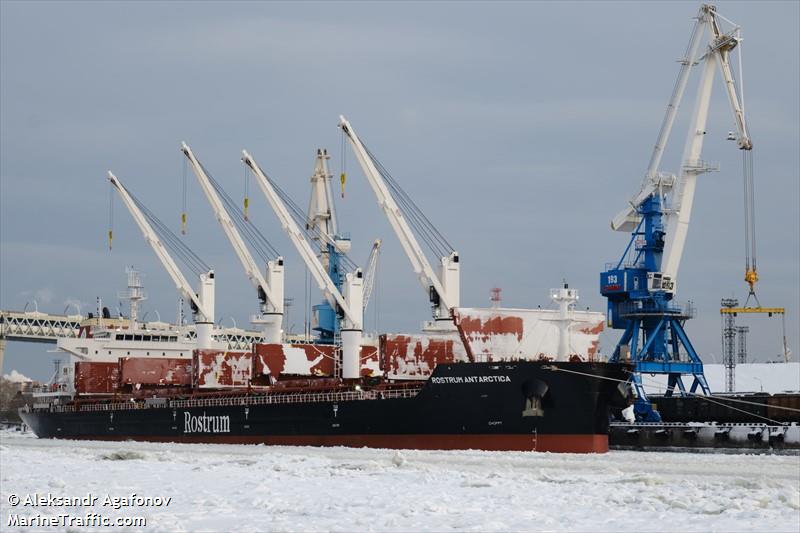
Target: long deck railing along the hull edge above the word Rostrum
x=244 y=401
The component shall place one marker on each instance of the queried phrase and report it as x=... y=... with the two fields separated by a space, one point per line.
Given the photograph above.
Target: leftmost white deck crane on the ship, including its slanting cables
x=202 y=301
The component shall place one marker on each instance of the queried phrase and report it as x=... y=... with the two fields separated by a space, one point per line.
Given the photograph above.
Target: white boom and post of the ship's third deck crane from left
x=347 y=302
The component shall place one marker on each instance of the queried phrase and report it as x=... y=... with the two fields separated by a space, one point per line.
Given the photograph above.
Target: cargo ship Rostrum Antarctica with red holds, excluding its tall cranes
x=470 y=389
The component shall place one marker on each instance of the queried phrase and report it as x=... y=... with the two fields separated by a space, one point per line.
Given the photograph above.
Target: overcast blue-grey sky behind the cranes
x=519 y=128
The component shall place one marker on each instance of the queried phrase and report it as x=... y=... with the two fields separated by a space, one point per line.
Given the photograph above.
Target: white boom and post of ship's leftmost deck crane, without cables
x=202 y=302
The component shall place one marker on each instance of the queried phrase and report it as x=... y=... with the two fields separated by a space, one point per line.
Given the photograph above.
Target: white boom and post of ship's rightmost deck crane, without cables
x=446 y=284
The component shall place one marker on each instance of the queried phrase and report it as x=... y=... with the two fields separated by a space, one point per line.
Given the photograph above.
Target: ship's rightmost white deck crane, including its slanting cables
x=442 y=288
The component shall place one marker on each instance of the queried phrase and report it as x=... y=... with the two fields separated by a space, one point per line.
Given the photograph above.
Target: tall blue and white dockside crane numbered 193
x=641 y=286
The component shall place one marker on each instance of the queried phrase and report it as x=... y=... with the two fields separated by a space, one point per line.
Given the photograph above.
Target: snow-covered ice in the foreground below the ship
x=259 y=488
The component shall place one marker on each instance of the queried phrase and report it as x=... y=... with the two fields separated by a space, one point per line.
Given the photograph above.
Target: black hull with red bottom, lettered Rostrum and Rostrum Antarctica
x=560 y=407
